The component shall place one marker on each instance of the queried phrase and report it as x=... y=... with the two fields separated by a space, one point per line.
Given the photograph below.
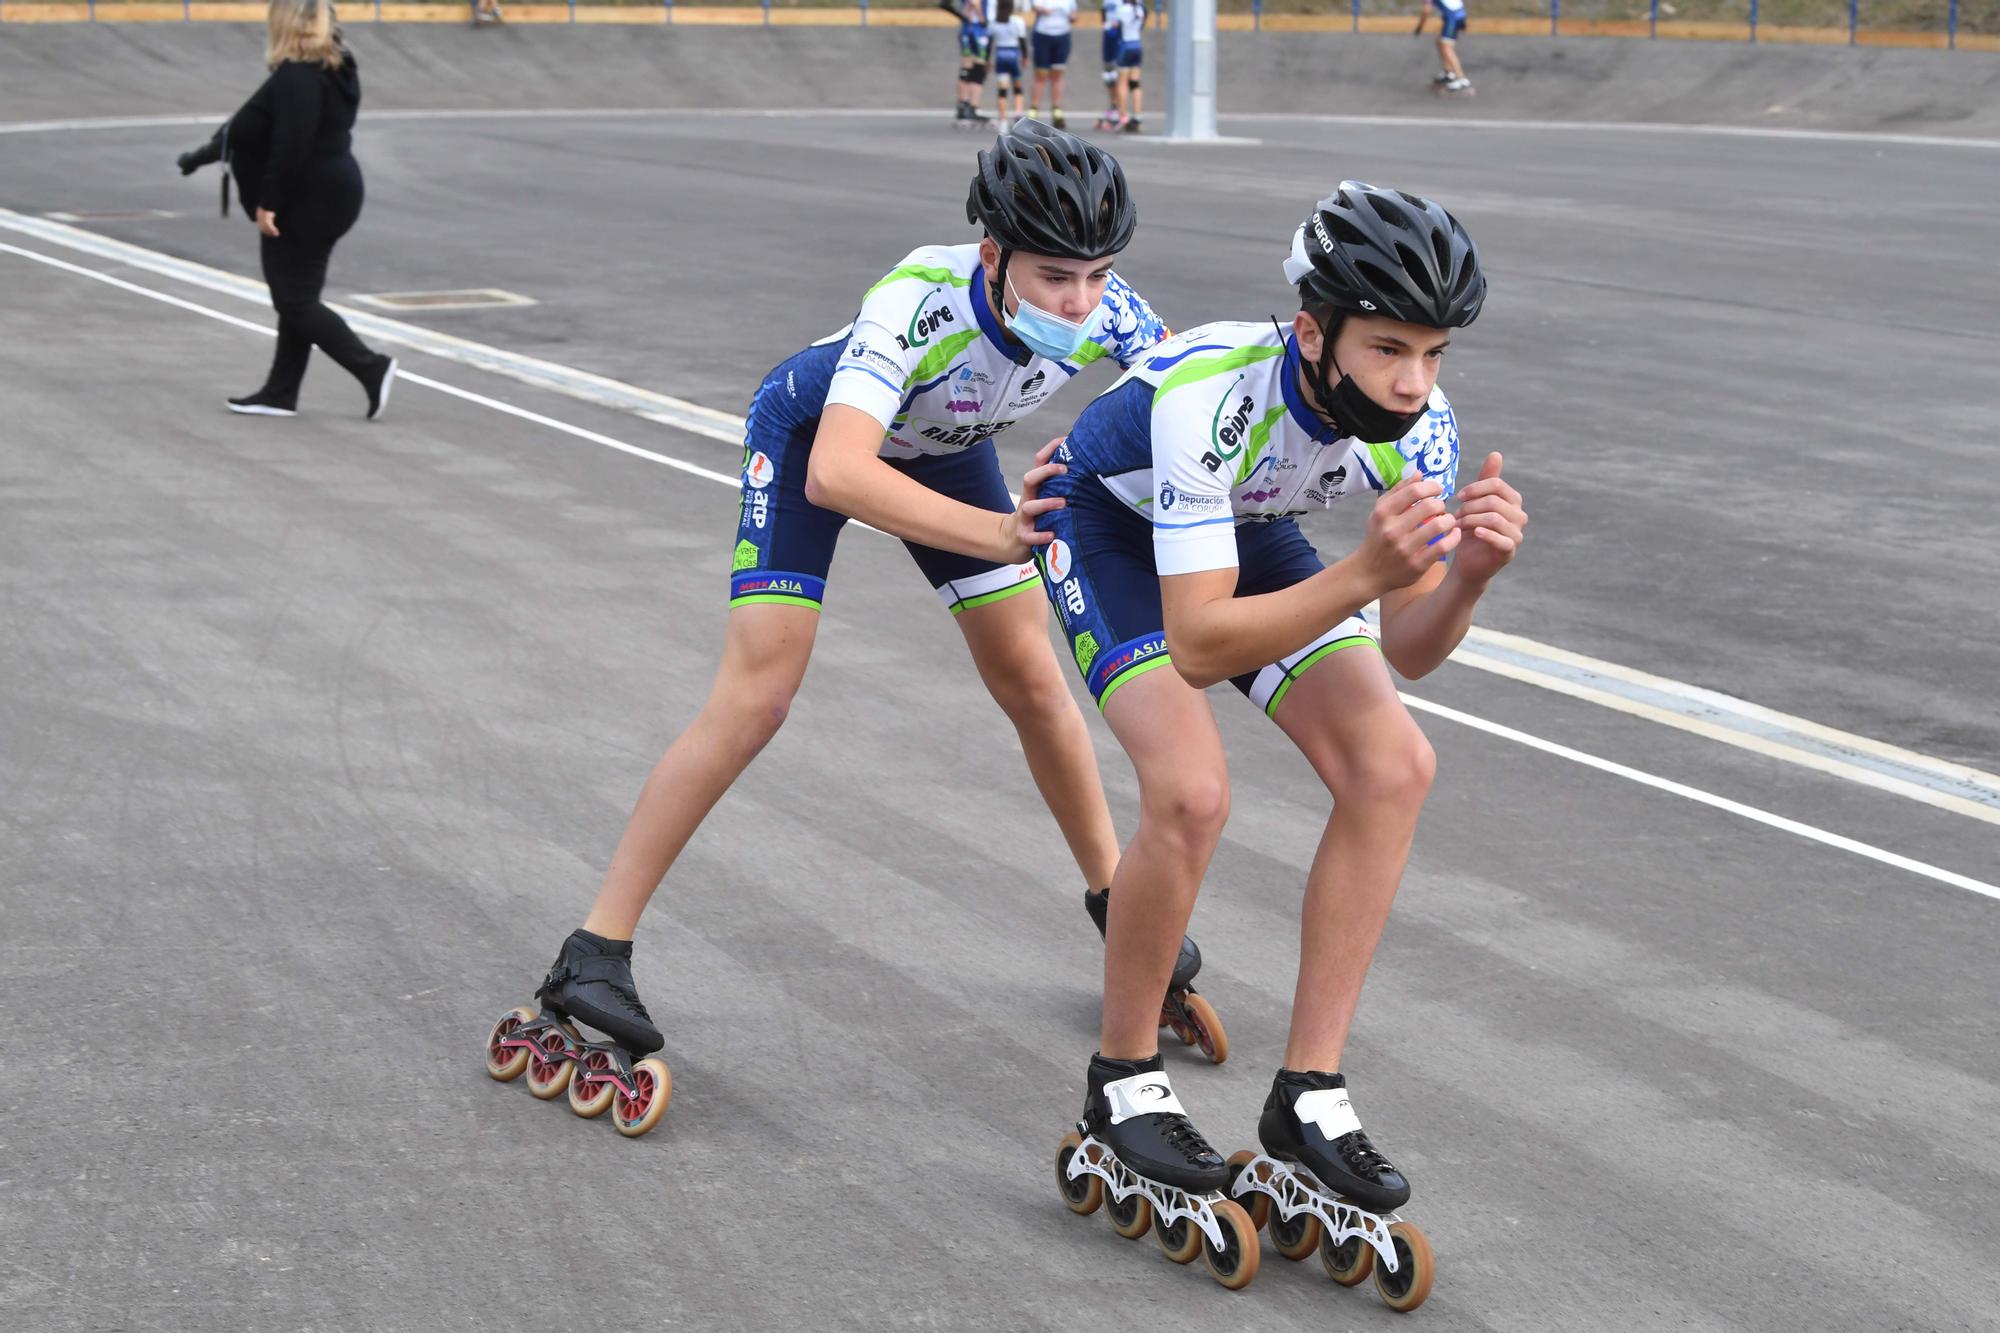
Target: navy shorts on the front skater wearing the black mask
x=1105 y=587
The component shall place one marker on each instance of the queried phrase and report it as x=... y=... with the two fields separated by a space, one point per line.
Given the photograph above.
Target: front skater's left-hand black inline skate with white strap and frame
x=1137 y=1156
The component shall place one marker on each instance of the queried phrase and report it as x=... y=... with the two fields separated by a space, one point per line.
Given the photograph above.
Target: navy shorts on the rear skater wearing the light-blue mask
x=785 y=543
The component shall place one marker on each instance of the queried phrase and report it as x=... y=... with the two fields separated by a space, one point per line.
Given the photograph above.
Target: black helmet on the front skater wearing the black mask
x=1377 y=251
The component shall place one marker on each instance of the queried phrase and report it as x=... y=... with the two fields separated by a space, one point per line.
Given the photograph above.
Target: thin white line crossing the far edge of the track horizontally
x=921 y=113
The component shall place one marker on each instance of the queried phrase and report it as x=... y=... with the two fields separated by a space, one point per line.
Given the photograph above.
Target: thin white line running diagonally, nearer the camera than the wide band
x=1423 y=706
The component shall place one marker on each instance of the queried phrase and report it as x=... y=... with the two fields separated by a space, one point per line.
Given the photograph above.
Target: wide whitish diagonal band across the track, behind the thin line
x=1687 y=708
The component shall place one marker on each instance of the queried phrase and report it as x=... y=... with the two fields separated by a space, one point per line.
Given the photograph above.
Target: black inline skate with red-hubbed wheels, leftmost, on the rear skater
x=589 y=984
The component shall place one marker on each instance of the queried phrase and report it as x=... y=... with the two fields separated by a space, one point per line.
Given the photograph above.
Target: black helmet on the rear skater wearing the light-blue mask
x=1045 y=191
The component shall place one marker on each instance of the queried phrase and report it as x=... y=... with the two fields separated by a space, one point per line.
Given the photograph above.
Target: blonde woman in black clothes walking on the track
x=291 y=149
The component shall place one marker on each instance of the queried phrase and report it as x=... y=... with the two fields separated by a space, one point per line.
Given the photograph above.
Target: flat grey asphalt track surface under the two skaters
x=319 y=734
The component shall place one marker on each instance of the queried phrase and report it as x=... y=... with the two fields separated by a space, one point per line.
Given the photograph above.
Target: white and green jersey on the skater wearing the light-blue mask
x=931 y=361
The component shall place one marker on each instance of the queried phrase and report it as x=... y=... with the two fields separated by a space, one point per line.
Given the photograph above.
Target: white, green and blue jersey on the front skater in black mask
x=1211 y=429
